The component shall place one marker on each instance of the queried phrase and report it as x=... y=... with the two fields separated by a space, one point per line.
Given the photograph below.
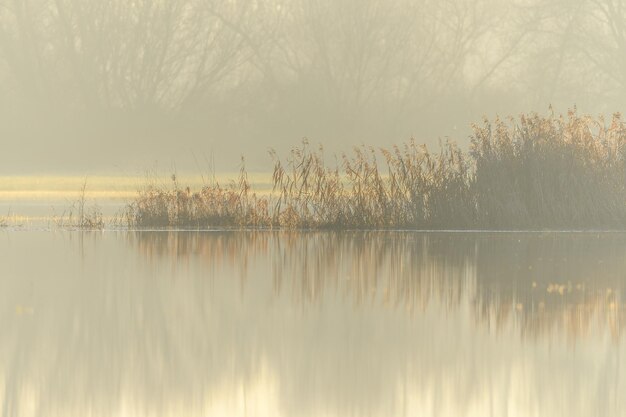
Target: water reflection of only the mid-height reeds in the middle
x=396 y=269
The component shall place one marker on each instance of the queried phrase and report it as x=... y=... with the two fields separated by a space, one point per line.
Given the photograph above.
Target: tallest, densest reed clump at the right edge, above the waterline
x=549 y=172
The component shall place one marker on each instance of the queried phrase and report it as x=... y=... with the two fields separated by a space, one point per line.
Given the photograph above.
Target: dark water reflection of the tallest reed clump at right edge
x=553 y=282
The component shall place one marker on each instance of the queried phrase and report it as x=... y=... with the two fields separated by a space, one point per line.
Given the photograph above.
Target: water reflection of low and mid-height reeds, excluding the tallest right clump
x=399 y=269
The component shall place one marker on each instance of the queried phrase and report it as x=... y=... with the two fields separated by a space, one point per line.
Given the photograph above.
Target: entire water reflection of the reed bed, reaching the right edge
x=543 y=282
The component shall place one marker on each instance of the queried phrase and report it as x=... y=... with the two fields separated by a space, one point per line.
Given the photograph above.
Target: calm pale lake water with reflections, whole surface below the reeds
x=312 y=324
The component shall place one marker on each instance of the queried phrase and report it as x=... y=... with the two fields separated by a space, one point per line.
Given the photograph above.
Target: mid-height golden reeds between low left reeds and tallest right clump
x=402 y=187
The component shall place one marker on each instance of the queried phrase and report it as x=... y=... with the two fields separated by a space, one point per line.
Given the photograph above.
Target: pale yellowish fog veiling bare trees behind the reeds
x=118 y=86
